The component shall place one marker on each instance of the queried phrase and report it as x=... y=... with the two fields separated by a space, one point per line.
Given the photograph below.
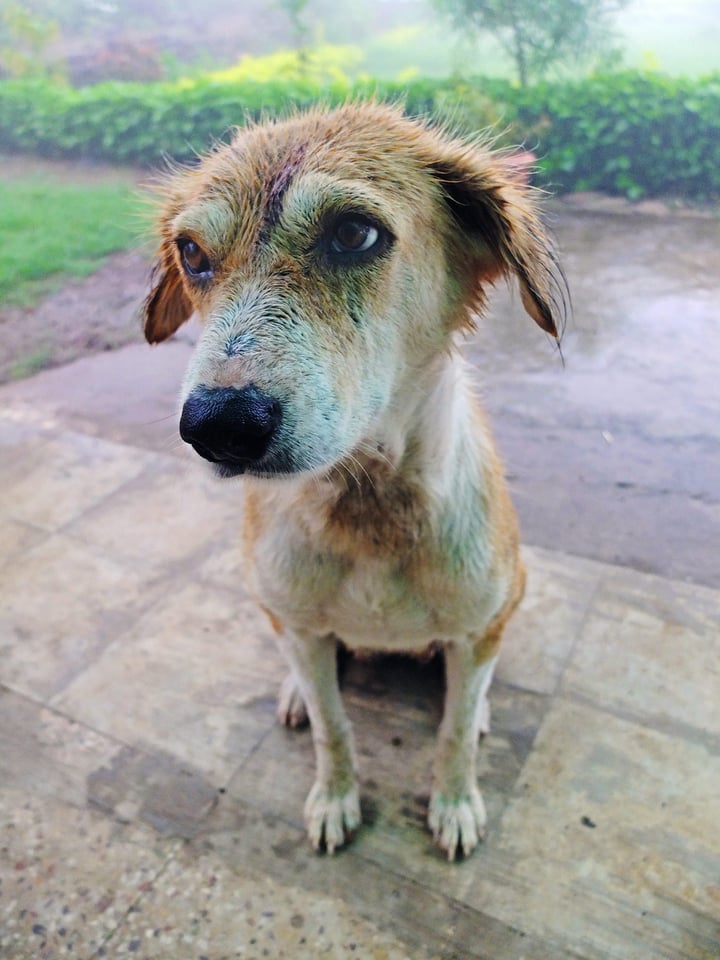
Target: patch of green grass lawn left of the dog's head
x=52 y=229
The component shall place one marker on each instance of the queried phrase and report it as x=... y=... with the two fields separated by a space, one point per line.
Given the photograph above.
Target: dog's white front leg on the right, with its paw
x=457 y=812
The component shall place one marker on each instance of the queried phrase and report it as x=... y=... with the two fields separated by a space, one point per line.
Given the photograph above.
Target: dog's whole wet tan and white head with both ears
x=330 y=257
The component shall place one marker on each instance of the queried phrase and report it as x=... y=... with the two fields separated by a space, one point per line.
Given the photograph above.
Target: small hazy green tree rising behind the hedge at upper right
x=538 y=34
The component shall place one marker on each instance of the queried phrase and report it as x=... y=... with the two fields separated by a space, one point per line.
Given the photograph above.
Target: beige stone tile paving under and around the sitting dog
x=151 y=807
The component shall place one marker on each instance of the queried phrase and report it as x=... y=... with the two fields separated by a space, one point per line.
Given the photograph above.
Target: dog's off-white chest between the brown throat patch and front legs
x=378 y=579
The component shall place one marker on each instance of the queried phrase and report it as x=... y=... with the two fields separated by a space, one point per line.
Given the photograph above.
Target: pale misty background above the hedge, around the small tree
x=89 y=41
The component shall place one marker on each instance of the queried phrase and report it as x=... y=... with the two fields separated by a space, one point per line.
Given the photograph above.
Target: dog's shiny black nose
x=229 y=426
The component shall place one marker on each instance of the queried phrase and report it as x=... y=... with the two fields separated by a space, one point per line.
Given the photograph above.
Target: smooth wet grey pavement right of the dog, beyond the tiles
x=616 y=454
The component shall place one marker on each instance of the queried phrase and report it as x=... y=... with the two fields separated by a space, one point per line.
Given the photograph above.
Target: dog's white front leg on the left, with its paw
x=332 y=809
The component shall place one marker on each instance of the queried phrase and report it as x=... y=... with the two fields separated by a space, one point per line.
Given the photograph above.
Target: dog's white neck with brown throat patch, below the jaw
x=387 y=495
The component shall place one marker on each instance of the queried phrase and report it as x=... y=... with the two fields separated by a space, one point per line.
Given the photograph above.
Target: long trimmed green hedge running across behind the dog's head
x=630 y=133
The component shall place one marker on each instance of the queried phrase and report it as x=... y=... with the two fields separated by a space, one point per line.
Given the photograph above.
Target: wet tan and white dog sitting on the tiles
x=334 y=259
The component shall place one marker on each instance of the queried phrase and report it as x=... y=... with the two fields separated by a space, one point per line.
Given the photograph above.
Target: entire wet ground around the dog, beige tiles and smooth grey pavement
x=150 y=807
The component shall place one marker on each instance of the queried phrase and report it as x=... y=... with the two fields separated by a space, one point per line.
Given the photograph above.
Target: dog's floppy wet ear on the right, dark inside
x=493 y=208
